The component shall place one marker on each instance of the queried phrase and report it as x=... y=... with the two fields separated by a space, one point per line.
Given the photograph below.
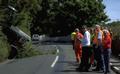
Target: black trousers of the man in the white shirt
x=86 y=54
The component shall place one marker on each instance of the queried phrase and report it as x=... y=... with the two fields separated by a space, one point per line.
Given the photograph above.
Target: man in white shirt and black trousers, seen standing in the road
x=86 y=54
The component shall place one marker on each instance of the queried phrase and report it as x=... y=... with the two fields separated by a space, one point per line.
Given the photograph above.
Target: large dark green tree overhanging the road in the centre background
x=62 y=16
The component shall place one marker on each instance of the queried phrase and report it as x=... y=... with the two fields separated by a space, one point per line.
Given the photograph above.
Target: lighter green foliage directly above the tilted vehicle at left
x=27 y=9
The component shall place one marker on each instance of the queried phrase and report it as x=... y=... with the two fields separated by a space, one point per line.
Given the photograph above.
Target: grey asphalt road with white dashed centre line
x=61 y=63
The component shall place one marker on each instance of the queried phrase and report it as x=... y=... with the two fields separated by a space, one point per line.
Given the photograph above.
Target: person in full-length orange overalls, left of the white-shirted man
x=78 y=45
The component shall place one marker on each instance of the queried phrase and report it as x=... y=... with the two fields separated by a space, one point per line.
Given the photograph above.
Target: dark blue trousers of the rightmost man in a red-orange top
x=106 y=59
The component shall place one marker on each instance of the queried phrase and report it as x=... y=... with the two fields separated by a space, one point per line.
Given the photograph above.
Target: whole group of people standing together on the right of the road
x=92 y=46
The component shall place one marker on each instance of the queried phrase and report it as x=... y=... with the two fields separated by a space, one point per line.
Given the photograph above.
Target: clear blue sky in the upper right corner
x=112 y=9
